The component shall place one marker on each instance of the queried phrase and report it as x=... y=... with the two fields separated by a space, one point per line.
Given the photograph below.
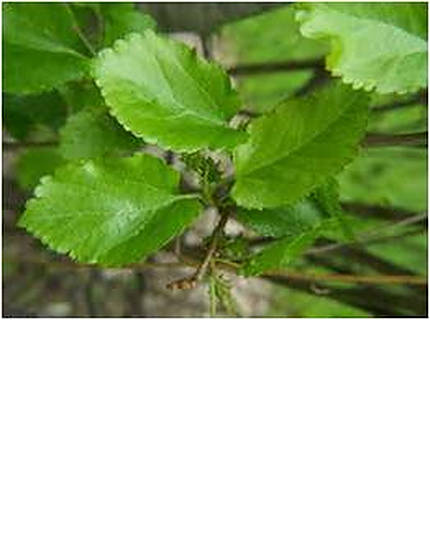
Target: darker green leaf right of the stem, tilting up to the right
x=298 y=146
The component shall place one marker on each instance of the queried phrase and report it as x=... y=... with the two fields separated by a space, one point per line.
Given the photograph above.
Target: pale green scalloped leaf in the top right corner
x=380 y=45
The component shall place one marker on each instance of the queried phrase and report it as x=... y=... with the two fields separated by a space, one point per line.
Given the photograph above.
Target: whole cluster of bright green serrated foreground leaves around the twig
x=97 y=85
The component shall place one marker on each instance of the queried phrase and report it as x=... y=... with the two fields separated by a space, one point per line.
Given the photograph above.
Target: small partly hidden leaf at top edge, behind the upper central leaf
x=123 y=18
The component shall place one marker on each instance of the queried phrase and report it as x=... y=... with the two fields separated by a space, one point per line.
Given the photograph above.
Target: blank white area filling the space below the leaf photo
x=223 y=439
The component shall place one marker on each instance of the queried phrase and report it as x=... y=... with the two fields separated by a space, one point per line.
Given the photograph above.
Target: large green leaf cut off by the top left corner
x=40 y=47
